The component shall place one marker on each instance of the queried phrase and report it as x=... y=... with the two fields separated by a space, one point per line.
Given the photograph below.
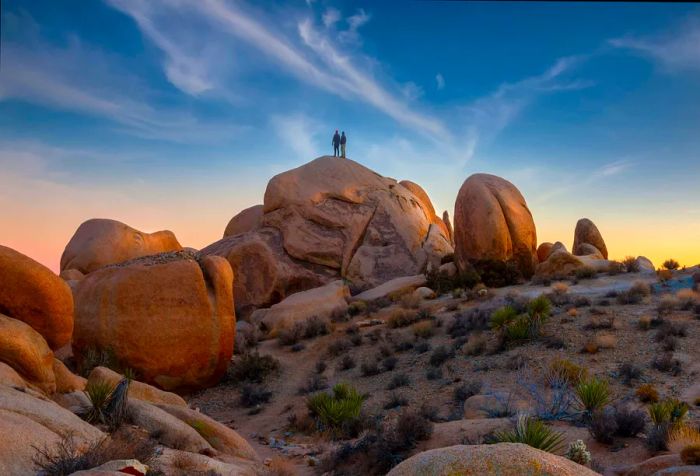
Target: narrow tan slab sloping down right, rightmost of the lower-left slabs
x=222 y=438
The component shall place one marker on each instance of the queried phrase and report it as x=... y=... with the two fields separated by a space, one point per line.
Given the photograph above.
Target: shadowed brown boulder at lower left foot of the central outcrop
x=265 y=274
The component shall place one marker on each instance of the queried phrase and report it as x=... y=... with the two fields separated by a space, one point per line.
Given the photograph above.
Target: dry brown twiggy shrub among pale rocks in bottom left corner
x=68 y=456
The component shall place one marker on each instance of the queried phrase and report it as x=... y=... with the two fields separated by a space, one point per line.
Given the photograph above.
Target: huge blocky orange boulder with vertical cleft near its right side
x=172 y=322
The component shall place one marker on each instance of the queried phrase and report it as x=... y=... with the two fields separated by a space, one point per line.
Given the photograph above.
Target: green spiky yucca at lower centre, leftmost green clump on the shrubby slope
x=338 y=411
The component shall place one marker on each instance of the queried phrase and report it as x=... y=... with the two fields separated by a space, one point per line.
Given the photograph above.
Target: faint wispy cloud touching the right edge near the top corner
x=674 y=51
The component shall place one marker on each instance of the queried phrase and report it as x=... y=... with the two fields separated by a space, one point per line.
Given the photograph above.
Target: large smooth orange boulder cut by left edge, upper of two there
x=32 y=293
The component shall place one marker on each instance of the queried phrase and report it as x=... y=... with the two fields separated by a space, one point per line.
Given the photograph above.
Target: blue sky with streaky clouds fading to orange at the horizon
x=174 y=114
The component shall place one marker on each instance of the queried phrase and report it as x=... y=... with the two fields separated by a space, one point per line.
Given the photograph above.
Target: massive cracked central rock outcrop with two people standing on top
x=328 y=219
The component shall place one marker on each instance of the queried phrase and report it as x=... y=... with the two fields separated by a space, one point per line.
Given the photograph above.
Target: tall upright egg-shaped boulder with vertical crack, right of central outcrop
x=493 y=222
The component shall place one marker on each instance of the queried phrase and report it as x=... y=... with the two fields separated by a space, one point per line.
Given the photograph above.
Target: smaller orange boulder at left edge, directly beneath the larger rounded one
x=23 y=349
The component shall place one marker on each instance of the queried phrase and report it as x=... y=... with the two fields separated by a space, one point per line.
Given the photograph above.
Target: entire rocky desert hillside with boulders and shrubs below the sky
x=344 y=326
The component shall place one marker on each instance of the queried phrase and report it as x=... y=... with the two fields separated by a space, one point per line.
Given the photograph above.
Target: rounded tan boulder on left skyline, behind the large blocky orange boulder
x=100 y=242
